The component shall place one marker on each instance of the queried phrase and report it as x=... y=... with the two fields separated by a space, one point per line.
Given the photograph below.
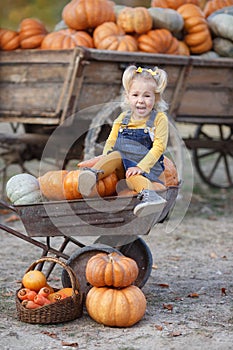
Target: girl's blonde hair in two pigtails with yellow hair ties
x=157 y=75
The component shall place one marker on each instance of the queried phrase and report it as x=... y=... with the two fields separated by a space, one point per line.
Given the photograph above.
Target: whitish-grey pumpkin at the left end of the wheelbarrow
x=23 y=189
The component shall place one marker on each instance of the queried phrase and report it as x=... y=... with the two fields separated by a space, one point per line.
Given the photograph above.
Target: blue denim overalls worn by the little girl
x=133 y=144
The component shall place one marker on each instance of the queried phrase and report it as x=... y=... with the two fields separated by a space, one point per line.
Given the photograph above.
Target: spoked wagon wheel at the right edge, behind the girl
x=213 y=158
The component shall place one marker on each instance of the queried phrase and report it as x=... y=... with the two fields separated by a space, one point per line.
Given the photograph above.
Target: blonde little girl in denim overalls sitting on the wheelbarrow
x=137 y=141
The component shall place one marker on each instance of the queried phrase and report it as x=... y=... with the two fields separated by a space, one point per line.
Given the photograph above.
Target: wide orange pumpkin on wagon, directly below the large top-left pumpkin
x=66 y=39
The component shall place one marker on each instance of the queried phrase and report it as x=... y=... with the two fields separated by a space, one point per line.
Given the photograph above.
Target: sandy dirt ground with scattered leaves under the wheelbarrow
x=189 y=292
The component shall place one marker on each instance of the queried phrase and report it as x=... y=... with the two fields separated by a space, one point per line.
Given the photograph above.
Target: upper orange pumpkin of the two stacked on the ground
x=113 y=270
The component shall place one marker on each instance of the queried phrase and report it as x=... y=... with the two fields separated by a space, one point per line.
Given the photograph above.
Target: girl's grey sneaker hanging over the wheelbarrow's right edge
x=151 y=203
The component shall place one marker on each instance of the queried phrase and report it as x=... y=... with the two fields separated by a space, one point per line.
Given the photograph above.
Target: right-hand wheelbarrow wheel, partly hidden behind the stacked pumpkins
x=133 y=247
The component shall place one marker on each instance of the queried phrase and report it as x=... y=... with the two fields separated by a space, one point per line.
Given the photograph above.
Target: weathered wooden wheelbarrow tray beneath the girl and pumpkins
x=91 y=217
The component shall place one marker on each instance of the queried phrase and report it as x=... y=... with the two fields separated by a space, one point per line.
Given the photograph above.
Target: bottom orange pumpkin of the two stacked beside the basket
x=116 y=307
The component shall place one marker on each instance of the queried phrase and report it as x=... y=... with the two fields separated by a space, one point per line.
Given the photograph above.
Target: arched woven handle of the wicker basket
x=73 y=277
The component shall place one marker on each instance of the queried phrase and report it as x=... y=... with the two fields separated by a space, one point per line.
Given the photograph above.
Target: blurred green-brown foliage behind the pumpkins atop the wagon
x=49 y=12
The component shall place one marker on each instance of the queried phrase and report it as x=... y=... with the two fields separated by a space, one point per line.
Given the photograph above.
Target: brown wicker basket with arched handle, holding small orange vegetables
x=63 y=310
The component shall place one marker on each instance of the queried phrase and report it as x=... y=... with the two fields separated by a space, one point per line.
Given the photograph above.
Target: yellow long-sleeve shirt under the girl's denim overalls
x=159 y=143
